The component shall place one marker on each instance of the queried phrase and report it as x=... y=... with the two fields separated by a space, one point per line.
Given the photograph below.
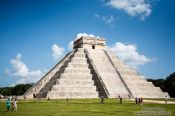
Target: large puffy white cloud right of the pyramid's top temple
x=129 y=54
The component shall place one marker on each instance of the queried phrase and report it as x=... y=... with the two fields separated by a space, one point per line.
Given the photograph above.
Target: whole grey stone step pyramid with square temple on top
x=91 y=71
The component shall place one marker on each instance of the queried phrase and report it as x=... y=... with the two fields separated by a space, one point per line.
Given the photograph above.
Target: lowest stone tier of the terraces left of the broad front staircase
x=54 y=94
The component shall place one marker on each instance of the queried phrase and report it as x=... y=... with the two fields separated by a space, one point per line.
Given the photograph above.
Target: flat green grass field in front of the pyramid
x=87 y=107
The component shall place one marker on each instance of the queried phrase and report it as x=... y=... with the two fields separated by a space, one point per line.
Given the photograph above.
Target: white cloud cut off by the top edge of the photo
x=132 y=7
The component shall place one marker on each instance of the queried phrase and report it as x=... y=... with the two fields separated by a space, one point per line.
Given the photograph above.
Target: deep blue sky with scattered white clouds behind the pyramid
x=35 y=32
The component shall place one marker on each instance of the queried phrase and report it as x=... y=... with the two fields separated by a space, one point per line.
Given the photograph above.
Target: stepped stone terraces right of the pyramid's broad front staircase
x=137 y=85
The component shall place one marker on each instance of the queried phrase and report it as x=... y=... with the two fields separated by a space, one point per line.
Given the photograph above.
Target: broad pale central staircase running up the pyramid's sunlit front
x=109 y=76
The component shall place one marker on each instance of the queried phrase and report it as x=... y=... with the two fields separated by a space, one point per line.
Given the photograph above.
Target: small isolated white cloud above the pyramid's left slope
x=57 y=51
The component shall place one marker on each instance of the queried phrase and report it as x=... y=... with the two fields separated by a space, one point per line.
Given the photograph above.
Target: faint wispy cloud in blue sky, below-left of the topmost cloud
x=107 y=19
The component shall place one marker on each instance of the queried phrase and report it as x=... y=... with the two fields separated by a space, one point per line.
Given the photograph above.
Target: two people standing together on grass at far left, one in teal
x=11 y=104
